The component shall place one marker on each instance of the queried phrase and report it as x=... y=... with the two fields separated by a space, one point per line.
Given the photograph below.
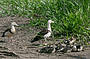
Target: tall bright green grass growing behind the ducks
x=71 y=16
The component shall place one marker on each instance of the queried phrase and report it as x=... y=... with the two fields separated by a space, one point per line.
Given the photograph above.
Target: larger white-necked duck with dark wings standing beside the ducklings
x=45 y=33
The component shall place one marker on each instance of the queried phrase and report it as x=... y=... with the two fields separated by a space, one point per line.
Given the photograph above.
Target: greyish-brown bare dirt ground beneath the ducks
x=19 y=46
